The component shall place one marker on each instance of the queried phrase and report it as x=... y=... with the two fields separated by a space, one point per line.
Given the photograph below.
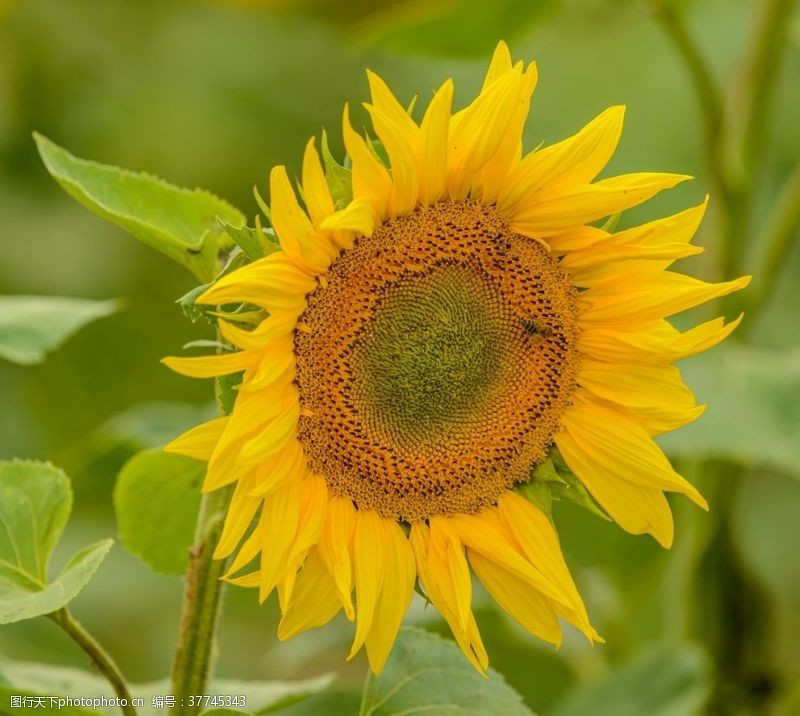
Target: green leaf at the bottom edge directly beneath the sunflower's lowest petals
x=428 y=673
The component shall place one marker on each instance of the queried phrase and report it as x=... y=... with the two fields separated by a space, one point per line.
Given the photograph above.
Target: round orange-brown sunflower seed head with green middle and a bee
x=439 y=358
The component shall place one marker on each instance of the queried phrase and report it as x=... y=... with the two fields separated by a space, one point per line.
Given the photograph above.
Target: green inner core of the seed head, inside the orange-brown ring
x=430 y=355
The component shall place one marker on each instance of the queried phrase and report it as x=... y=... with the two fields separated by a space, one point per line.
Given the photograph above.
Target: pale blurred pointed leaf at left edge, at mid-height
x=30 y=326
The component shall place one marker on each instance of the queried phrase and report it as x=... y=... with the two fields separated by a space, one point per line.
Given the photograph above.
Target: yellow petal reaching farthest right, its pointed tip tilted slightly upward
x=639 y=298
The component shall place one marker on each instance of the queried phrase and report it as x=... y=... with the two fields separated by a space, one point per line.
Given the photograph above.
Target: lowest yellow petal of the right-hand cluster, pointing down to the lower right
x=636 y=509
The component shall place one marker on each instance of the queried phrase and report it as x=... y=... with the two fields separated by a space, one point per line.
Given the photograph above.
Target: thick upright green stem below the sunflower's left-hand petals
x=201 y=606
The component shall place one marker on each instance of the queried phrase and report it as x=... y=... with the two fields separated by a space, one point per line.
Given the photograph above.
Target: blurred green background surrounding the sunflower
x=213 y=94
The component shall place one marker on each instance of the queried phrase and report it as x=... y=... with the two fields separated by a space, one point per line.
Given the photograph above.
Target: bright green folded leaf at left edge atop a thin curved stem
x=35 y=502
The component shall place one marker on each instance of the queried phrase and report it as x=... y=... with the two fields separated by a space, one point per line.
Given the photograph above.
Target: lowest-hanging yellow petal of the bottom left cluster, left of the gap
x=398 y=587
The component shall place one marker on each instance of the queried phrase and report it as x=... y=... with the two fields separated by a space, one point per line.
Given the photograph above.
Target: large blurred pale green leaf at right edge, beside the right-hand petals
x=753 y=411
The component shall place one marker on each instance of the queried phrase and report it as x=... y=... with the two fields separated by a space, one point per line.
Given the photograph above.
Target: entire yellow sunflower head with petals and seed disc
x=425 y=343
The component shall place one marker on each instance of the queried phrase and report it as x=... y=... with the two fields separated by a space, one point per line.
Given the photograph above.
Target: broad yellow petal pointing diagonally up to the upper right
x=576 y=160
